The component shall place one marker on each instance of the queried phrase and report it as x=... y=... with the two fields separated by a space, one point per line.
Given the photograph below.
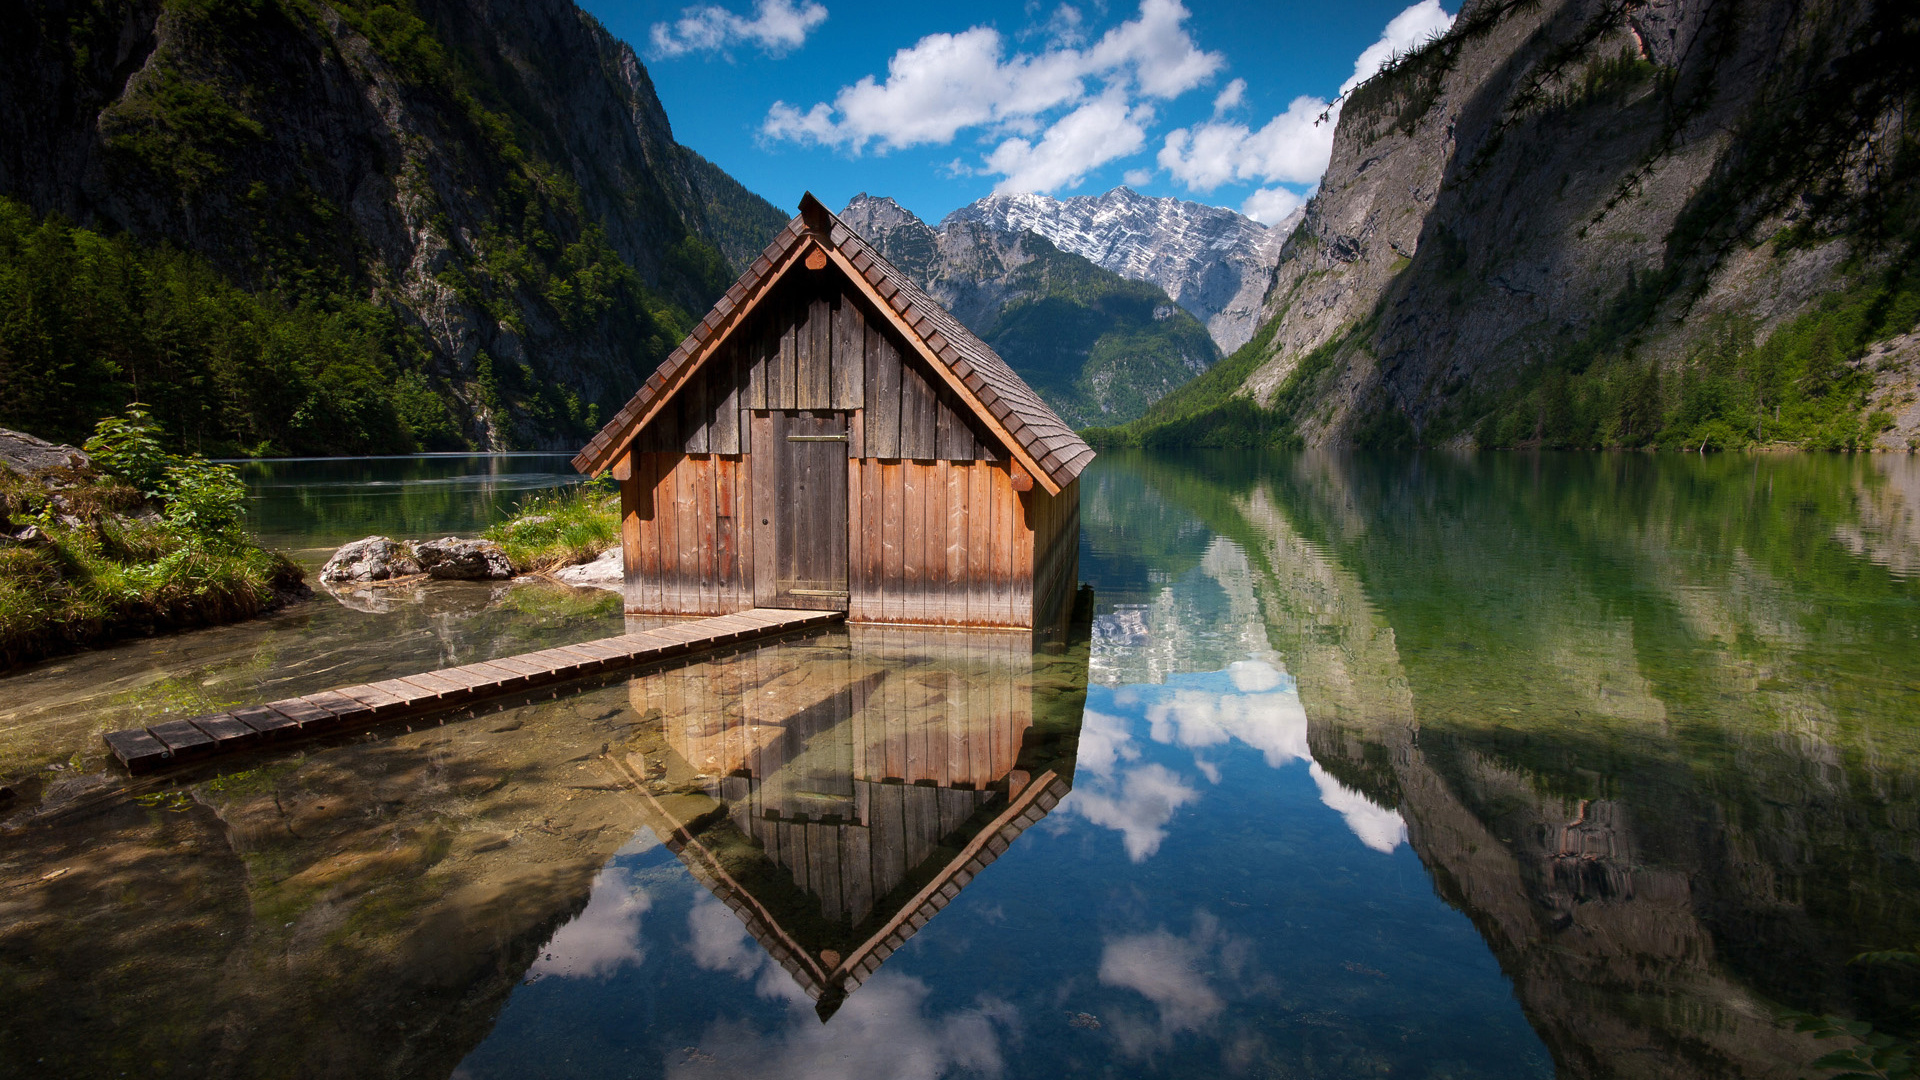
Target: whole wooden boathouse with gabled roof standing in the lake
x=832 y=439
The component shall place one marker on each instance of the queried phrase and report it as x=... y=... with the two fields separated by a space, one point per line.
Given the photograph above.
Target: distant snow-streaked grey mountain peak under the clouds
x=1211 y=260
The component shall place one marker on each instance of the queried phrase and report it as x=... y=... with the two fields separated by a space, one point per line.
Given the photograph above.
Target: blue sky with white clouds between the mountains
x=940 y=105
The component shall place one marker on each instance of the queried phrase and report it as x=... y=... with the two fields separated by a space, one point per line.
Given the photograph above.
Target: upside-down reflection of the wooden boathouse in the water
x=838 y=795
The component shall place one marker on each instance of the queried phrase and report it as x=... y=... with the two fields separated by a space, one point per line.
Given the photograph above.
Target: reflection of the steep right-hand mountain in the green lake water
x=1629 y=724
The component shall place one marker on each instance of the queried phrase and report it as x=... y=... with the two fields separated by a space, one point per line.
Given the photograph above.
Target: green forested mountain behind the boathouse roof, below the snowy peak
x=1097 y=347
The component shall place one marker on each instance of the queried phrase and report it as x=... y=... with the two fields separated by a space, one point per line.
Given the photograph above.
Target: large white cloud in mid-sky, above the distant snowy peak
x=948 y=84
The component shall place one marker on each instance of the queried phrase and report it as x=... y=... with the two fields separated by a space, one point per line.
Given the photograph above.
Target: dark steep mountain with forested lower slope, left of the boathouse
x=352 y=228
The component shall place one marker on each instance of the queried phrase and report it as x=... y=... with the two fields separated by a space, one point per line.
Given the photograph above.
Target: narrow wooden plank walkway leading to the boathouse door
x=143 y=750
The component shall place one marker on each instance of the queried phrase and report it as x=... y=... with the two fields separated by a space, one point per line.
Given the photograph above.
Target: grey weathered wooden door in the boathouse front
x=802 y=468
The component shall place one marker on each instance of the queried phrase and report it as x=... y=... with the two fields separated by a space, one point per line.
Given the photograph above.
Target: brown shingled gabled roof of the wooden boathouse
x=1038 y=437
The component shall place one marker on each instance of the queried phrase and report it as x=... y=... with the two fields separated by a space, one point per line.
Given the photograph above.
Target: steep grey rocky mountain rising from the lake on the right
x=1591 y=224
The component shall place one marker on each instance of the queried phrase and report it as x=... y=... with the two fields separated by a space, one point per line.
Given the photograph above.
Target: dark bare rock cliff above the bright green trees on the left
x=496 y=174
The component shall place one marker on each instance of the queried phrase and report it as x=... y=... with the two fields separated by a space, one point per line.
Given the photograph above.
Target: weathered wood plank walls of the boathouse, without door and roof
x=938 y=535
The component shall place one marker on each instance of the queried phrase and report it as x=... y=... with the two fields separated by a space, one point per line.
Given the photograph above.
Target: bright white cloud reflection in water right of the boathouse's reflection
x=1260 y=710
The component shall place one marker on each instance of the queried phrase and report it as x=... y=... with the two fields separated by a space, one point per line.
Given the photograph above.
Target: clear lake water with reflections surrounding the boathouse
x=1495 y=766
